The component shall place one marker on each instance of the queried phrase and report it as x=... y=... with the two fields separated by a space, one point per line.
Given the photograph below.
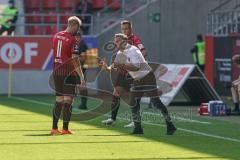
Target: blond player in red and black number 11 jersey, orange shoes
x=66 y=67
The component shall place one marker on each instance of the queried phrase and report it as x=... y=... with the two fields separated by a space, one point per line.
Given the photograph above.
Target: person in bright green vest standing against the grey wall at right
x=198 y=52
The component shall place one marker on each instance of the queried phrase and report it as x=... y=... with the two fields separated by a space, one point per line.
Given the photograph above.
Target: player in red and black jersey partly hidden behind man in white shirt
x=123 y=81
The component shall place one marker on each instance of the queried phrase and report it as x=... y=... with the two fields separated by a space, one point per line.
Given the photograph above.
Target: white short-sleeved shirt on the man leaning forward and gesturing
x=132 y=55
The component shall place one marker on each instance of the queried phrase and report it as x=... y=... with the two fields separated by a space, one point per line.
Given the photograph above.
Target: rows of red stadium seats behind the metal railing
x=48 y=12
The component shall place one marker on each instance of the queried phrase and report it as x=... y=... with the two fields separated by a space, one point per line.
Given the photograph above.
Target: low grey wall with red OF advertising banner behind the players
x=32 y=64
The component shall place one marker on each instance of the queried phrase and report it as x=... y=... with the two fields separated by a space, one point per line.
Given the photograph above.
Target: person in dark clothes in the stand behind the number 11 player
x=84 y=7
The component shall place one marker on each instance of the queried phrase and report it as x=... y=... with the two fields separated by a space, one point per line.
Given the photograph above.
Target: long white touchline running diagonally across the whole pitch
x=149 y=123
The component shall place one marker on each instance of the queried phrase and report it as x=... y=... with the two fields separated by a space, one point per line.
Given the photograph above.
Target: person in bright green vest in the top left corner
x=9 y=19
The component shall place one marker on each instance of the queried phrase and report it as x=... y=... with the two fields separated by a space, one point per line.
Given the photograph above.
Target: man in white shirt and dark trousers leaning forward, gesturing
x=130 y=58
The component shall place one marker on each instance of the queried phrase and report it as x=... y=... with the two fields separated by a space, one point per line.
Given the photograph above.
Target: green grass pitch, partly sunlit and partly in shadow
x=25 y=128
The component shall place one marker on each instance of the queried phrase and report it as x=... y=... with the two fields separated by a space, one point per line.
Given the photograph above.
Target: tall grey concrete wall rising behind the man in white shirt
x=167 y=41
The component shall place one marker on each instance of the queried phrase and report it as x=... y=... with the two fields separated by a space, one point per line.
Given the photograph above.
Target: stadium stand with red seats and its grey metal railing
x=46 y=13
